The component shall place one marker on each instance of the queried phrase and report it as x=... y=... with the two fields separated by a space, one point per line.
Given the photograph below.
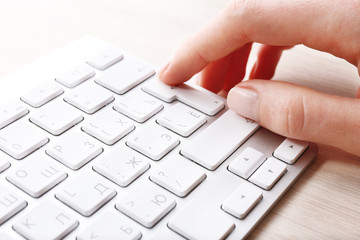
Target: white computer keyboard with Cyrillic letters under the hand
x=94 y=146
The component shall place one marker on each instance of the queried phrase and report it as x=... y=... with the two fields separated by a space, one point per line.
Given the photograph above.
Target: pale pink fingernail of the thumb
x=244 y=101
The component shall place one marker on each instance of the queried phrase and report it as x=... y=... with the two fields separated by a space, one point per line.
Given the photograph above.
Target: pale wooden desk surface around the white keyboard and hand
x=324 y=203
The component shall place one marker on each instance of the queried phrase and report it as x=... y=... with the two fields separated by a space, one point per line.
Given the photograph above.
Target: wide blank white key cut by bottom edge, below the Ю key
x=196 y=221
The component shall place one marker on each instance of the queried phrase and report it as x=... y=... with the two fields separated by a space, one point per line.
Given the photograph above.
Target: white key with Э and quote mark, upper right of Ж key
x=153 y=141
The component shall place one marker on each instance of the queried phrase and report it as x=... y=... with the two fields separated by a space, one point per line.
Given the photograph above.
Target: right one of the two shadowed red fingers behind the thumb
x=267 y=60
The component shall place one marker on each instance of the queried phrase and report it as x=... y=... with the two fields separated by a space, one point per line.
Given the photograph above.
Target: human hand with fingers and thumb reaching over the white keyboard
x=220 y=51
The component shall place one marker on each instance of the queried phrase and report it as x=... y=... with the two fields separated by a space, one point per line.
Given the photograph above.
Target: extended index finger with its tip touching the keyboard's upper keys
x=278 y=23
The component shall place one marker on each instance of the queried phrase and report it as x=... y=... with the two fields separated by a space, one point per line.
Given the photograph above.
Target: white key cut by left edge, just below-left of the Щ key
x=10 y=204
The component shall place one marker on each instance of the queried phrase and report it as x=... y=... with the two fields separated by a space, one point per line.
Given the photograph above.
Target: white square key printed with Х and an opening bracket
x=108 y=126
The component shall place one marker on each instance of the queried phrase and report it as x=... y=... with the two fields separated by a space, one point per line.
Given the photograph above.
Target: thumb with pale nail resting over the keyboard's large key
x=300 y=113
